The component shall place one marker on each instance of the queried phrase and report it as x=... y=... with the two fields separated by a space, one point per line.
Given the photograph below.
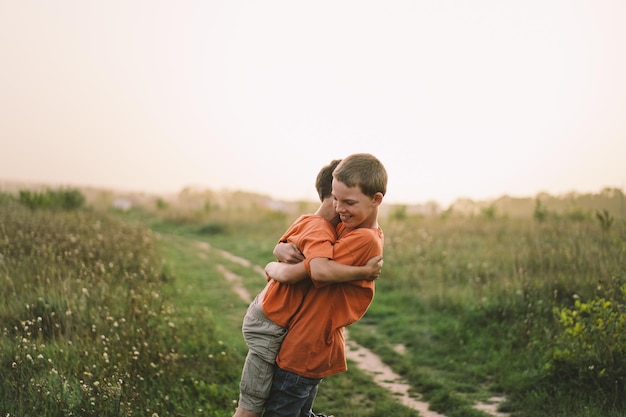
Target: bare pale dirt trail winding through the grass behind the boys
x=365 y=359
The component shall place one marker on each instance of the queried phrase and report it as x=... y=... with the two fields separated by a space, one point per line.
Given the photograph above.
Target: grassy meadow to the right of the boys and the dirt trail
x=486 y=295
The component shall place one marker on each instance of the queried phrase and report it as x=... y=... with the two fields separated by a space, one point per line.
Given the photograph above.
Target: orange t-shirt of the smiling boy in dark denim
x=314 y=347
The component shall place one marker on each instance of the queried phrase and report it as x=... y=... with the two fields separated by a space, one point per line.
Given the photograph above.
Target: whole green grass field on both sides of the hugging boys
x=120 y=314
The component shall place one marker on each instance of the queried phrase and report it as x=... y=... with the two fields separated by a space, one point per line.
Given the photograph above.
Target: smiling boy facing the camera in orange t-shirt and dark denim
x=314 y=346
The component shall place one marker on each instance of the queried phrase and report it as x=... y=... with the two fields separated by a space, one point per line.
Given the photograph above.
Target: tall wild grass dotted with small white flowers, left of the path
x=85 y=329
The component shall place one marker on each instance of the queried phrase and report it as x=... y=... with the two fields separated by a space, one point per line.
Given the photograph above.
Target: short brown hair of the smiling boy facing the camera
x=363 y=170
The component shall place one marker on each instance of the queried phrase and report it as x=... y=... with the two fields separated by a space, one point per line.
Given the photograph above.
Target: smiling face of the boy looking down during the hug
x=355 y=208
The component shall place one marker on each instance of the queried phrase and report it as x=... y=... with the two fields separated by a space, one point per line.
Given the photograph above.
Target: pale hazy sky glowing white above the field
x=458 y=98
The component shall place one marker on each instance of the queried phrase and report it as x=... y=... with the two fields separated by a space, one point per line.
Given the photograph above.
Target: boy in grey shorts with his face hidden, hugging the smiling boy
x=269 y=315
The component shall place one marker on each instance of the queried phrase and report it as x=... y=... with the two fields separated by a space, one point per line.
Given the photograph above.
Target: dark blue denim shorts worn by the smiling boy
x=291 y=395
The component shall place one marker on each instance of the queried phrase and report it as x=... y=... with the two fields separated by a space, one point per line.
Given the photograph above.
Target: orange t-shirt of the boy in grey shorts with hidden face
x=314 y=236
